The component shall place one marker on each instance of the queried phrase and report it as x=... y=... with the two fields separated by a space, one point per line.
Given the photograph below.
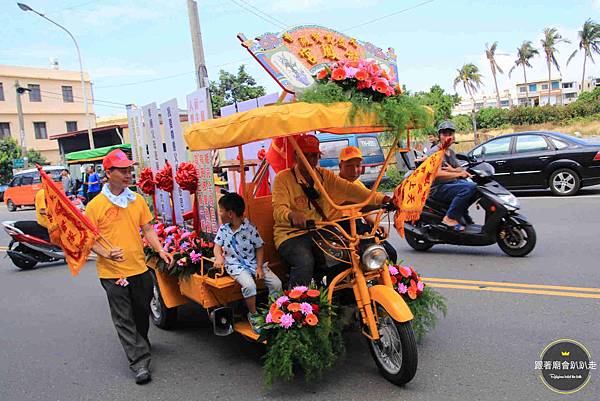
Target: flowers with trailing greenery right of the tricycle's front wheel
x=424 y=302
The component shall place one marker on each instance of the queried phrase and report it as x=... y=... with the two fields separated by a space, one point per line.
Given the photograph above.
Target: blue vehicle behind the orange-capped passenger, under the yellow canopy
x=373 y=158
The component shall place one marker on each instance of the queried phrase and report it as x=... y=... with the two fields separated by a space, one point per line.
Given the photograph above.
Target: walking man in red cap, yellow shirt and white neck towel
x=119 y=213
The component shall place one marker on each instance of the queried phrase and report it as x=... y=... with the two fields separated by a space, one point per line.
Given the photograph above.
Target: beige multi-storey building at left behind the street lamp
x=52 y=104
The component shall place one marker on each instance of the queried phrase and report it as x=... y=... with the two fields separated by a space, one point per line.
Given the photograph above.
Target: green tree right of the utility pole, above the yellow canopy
x=232 y=88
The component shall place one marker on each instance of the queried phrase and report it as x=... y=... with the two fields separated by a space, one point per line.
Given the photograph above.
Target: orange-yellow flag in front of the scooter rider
x=411 y=194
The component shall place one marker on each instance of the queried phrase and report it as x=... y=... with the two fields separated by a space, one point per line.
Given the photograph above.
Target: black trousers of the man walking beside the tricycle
x=129 y=310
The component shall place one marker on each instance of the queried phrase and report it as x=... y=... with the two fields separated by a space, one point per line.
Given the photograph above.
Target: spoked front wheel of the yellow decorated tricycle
x=395 y=353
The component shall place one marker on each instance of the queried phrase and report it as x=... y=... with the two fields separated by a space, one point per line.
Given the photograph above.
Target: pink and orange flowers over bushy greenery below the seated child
x=299 y=329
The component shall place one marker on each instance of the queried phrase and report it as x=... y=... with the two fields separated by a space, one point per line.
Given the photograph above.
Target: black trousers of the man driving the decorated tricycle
x=303 y=257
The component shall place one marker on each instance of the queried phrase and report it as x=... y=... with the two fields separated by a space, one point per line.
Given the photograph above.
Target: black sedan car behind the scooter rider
x=541 y=159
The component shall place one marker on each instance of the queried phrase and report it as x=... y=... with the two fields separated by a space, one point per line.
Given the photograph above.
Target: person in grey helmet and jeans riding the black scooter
x=450 y=185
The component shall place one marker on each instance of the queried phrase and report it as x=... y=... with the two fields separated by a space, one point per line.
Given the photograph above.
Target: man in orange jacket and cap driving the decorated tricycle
x=296 y=200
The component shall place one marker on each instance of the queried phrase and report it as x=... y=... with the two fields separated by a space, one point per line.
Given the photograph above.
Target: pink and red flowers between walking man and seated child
x=187 y=249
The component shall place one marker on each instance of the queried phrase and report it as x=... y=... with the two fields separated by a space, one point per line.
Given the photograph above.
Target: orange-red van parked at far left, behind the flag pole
x=24 y=185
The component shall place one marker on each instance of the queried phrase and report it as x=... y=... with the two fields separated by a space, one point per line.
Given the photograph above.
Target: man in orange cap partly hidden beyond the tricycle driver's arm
x=350 y=169
